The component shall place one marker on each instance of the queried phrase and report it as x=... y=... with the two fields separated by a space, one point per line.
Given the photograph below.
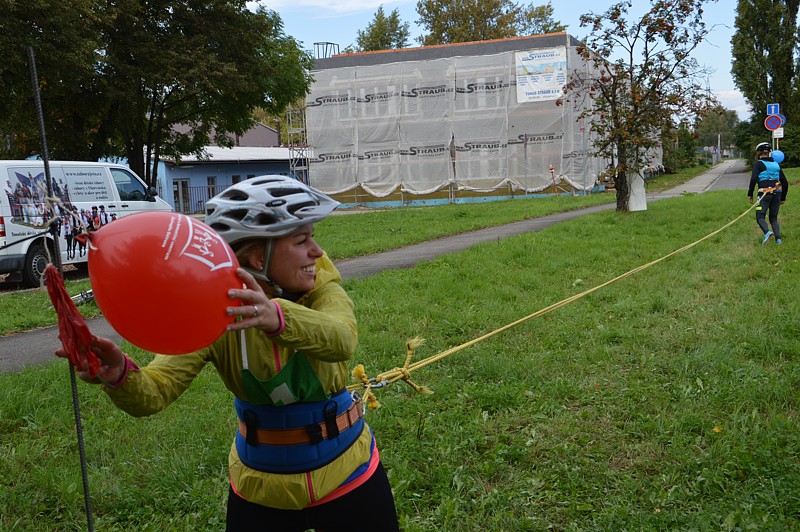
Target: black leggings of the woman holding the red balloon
x=370 y=505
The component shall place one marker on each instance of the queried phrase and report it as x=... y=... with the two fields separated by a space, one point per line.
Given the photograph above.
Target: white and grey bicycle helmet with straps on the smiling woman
x=265 y=208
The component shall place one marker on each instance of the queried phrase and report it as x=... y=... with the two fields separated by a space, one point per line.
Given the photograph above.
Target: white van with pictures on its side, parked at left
x=110 y=190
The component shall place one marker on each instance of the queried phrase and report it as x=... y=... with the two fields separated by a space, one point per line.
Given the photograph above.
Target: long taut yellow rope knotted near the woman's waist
x=404 y=373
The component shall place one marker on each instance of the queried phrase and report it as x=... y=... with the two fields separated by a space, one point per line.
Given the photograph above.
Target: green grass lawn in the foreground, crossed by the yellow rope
x=668 y=400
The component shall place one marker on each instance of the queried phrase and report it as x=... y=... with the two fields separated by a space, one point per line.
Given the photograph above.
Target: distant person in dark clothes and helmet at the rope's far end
x=772 y=189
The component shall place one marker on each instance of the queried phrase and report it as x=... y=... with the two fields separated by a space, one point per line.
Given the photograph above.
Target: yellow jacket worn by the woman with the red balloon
x=322 y=325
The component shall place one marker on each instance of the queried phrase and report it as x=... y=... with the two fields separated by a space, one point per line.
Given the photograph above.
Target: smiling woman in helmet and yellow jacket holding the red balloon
x=302 y=457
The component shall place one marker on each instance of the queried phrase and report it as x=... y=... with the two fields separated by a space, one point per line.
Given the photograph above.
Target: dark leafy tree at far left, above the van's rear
x=66 y=42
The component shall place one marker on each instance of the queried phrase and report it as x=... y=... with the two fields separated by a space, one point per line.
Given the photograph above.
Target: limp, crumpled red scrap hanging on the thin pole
x=72 y=329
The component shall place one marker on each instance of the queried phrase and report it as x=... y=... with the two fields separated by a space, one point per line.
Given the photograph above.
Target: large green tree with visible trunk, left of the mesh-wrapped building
x=207 y=68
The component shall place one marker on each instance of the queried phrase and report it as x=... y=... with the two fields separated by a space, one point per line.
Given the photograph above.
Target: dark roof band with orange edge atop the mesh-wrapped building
x=421 y=53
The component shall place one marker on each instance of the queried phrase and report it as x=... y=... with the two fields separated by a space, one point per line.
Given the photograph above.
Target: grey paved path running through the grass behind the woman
x=35 y=347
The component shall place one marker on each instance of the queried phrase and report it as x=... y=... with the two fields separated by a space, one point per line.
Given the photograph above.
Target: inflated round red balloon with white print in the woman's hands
x=162 y=280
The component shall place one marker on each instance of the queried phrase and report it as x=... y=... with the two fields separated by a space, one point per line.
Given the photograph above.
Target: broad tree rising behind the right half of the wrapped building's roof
x=452 y=21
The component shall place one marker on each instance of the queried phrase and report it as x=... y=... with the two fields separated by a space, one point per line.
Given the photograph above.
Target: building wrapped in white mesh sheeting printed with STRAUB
x=451 y=121
